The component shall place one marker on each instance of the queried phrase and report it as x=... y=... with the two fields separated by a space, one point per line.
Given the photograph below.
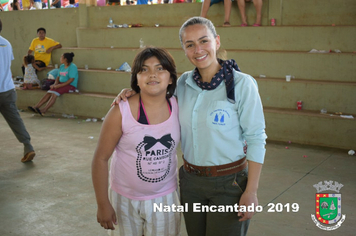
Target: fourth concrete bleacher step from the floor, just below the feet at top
x=289 y=38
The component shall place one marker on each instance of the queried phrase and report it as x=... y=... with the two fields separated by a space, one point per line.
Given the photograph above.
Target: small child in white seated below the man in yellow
x=30 y=78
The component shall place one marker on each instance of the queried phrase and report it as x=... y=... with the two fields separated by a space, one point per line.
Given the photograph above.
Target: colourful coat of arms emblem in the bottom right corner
x=328 y=206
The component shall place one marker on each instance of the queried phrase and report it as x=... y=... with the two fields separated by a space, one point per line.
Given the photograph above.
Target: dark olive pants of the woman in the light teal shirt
x=213 y=191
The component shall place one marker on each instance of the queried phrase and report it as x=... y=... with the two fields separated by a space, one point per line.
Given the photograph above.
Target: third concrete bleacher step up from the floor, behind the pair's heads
x=303 y=65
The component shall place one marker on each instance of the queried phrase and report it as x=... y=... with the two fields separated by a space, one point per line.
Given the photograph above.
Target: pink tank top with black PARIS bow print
x=144 y=163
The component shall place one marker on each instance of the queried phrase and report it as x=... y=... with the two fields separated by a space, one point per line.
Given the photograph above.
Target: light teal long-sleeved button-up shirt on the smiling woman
x=213 y=130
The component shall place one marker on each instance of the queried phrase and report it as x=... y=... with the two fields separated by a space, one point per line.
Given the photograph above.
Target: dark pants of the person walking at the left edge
x=9 y=111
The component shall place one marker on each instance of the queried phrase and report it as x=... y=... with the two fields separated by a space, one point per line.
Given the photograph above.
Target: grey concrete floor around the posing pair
x=53 y=195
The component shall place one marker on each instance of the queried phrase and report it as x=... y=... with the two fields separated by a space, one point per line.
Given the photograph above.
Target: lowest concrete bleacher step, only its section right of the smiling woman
x=310 y=127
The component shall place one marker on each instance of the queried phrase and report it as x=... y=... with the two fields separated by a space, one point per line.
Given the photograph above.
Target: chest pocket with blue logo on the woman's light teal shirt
x=221 y=116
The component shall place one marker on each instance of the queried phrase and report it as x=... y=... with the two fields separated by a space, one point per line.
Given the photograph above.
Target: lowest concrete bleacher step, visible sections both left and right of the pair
x=300 y=126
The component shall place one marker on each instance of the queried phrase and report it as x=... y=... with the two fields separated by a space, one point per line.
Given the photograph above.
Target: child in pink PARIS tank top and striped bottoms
x=143 y=132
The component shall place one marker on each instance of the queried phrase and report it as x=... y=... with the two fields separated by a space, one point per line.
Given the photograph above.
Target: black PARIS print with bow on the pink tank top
x=153 y=161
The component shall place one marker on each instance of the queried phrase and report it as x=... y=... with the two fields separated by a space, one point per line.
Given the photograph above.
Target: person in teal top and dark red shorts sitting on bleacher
x=66 y=81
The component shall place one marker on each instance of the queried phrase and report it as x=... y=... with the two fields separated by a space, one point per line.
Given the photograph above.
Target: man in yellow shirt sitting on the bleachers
x=43 y=47
